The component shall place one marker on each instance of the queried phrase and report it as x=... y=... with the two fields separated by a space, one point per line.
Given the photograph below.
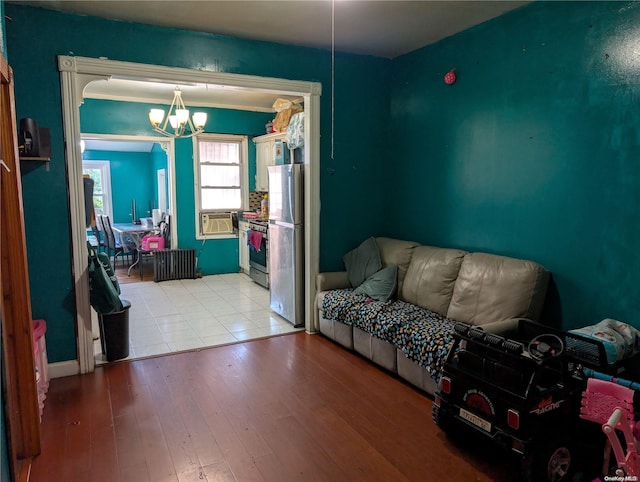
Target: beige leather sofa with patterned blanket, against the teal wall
x=478 y=288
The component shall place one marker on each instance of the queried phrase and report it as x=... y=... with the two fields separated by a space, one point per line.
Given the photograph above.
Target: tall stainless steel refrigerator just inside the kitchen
x=286 y=242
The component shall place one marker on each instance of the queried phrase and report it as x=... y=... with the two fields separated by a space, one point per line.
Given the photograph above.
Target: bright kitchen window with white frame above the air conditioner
x=221 y=181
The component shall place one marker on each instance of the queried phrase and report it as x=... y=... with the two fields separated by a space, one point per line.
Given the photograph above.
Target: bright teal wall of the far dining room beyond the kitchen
x=132 y=177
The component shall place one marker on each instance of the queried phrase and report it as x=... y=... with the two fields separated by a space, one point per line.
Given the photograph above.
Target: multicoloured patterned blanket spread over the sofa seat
x=423 y=336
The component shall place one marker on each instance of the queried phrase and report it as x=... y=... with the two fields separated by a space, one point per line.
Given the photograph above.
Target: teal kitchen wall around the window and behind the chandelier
x=215 y=256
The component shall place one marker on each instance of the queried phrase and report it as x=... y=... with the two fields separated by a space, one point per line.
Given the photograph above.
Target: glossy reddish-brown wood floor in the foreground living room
x=289 y=408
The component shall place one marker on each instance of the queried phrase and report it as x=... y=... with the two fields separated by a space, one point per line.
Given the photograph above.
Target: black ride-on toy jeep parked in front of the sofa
x=521 y=392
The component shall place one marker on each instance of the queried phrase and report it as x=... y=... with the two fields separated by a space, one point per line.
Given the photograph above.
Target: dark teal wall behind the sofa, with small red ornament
x=533 y=152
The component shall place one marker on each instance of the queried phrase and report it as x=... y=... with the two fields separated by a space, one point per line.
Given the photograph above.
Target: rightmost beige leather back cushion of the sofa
x=493 y=288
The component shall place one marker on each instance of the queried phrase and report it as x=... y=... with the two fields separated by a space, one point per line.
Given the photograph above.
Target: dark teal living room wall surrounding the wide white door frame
x=349 y=182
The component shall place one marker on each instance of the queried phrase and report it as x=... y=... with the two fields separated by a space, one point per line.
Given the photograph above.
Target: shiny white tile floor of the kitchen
x=173 y=316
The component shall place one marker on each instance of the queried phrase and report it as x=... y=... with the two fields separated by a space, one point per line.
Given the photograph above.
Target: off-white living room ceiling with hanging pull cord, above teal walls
x=371 y=27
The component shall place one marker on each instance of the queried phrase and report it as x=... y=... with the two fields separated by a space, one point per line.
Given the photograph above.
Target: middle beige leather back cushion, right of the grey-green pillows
x=431 y=277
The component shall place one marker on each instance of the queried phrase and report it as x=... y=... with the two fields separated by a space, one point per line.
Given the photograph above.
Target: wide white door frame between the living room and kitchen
x=77 y=72
